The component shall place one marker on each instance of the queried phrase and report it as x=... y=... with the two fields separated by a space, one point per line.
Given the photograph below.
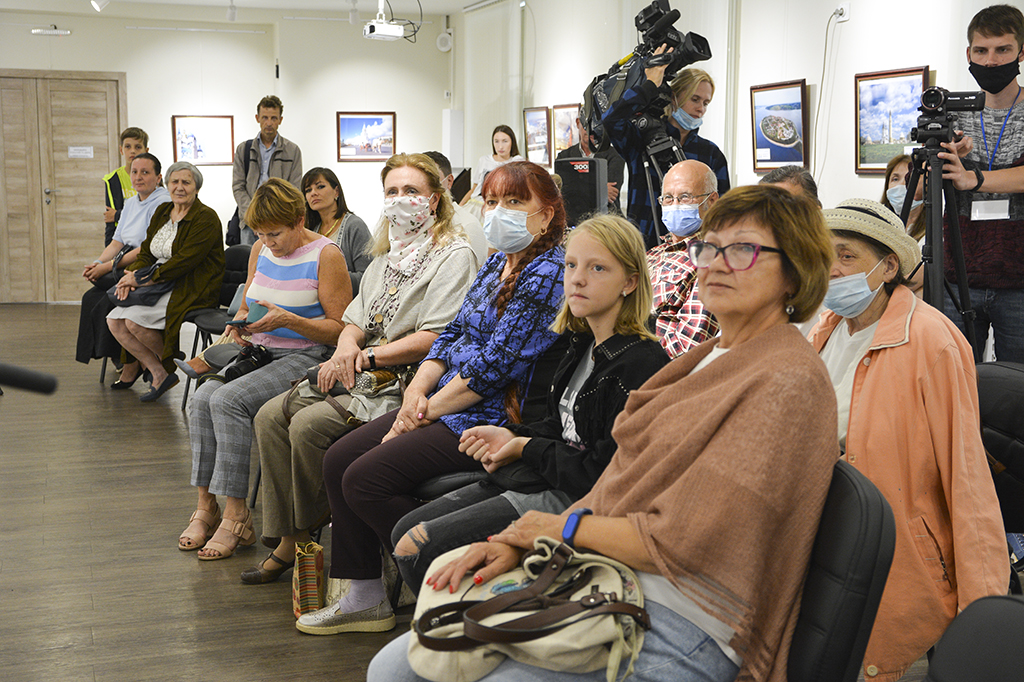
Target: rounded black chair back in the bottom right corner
x=983 y=644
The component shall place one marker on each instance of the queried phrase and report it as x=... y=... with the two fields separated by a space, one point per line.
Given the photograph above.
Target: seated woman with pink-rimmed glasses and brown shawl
x=726 y=447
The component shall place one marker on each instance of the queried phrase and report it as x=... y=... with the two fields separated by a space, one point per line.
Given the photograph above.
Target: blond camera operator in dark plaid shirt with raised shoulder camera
x=693 y=91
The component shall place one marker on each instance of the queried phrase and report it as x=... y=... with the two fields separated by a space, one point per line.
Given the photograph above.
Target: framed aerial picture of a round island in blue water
x=779 y=125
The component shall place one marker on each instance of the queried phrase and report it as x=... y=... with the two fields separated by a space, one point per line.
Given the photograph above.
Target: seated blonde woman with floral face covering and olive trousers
x=422 y=269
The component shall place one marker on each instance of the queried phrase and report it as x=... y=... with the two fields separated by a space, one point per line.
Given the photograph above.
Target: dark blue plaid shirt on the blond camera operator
x=629 y=143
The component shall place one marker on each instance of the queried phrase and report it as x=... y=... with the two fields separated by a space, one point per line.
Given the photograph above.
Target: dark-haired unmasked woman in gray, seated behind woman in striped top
x=328 y=215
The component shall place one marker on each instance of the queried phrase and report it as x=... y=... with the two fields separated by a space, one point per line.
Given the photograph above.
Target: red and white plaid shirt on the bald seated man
x=681 y=321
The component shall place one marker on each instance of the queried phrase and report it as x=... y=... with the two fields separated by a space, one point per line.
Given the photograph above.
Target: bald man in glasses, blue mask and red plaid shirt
x=681 y=320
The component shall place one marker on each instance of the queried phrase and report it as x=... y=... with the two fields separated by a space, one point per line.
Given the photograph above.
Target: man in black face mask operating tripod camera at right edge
x=990 y=184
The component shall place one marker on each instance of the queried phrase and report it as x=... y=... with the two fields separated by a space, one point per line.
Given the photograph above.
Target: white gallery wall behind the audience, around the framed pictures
x=506 y=57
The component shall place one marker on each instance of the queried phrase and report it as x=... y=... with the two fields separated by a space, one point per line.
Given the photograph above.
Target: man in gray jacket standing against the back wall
x=260 y=159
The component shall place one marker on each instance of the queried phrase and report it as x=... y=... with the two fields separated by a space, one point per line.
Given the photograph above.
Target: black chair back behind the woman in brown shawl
x=854 y=551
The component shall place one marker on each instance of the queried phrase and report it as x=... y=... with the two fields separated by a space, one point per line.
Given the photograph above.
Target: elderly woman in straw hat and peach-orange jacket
x=909 y=419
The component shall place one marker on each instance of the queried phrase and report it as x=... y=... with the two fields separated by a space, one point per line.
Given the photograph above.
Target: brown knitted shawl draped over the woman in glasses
x=724 y=476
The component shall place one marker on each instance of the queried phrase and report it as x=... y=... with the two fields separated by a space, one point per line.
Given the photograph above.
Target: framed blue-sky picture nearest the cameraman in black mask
x=886 y=111
